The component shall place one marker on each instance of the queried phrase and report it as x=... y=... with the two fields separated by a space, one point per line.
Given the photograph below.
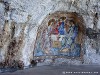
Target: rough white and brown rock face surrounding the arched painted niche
x=20 y=19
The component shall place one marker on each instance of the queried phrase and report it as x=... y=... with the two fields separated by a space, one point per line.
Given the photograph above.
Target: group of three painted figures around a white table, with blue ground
x=58 y=39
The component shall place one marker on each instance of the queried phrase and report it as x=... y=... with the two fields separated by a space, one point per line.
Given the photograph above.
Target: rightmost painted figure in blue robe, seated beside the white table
x=71 y=34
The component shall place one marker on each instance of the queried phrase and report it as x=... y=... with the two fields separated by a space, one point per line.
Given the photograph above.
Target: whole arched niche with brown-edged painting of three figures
x=61 y=34
